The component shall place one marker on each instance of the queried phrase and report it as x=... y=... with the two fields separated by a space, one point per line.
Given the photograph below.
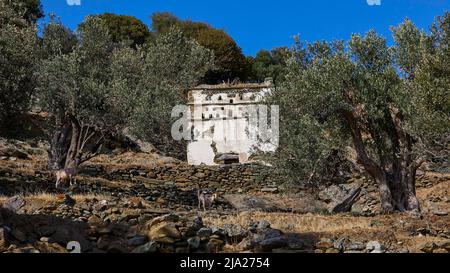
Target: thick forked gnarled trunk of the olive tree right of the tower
x=395 y=179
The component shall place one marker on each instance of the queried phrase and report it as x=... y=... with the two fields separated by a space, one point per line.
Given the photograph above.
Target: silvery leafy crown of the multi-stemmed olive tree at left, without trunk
x=78 y=83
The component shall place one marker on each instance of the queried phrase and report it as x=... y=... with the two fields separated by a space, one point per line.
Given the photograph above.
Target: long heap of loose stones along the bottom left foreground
x=104 y=226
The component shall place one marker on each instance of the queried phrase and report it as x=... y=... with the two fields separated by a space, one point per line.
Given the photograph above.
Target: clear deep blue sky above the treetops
x=264 y=24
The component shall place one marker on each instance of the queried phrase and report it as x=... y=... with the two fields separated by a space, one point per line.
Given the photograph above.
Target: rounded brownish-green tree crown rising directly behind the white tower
x=229 y=60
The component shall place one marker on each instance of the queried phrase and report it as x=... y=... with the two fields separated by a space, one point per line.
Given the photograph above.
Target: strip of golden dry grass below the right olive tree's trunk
x=383 y=228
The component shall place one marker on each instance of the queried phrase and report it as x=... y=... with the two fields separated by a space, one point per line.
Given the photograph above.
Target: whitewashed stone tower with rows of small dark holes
x=220 y=125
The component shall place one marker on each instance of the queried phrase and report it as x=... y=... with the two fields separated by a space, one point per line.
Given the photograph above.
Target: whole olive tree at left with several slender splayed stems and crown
x=76 y=88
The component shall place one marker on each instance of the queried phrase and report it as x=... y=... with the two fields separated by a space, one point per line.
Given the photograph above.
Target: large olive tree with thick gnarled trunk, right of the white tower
x=339 y=95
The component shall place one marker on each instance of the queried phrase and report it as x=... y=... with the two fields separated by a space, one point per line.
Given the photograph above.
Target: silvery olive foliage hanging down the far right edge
x=424 y=62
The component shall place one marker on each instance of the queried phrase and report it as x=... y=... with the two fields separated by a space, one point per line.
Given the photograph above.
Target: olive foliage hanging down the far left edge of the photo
x=18 y=48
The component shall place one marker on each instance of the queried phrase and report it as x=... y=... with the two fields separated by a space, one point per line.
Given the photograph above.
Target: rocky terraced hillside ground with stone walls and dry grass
x=119 y=205
